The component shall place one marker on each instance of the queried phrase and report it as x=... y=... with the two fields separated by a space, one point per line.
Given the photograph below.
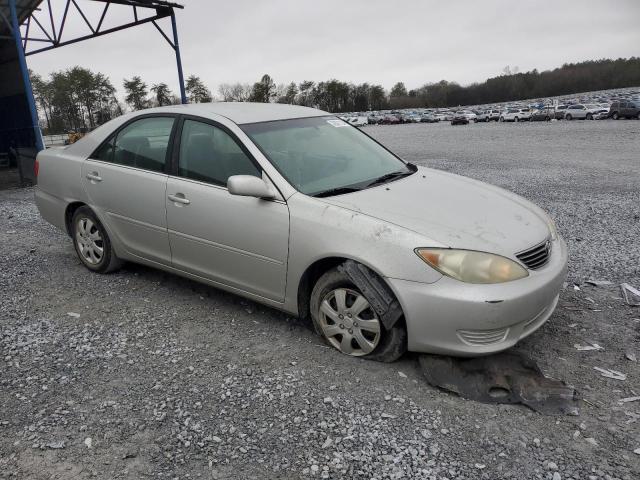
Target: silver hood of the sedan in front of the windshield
x=453 y=211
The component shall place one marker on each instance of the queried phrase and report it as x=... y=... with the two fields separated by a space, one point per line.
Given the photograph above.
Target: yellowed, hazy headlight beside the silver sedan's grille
x=472 y=267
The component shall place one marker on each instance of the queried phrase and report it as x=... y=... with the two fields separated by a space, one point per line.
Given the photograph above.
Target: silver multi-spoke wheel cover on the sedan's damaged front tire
x=349 y=323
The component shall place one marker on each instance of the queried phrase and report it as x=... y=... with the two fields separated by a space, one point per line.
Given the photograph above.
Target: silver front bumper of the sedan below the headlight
x=455 y=318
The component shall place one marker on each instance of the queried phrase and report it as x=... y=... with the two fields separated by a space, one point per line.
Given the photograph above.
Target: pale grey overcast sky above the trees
x=376 y=41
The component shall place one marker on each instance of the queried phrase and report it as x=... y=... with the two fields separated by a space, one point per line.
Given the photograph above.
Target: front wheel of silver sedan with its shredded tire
x=344 y=317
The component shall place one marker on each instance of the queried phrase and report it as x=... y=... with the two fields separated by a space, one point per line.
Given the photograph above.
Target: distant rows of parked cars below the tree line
x=598 y=108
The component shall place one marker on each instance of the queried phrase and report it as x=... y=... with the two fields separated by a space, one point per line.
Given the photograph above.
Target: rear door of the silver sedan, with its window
x=126 y=180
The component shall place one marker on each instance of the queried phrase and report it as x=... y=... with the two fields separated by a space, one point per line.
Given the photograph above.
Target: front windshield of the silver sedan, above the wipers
x=322 y=156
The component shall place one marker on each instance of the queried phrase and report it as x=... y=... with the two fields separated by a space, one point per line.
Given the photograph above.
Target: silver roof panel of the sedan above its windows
x=242 y=112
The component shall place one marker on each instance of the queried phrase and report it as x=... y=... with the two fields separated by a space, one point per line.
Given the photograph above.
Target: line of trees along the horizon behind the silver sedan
x=77 y=97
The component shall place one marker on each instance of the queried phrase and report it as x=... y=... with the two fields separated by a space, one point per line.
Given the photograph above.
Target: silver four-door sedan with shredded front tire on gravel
x=294 y=208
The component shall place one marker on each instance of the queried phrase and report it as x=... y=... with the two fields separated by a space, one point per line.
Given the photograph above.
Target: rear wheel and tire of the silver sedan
x=92 y=243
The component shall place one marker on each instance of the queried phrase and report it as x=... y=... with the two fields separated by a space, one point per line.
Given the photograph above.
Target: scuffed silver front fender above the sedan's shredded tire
x=319 y=230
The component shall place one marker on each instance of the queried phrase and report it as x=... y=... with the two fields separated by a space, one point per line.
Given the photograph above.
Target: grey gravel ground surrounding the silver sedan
x=142 y=374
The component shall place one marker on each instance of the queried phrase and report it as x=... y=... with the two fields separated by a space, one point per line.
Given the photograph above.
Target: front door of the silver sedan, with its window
x=241 y=242
